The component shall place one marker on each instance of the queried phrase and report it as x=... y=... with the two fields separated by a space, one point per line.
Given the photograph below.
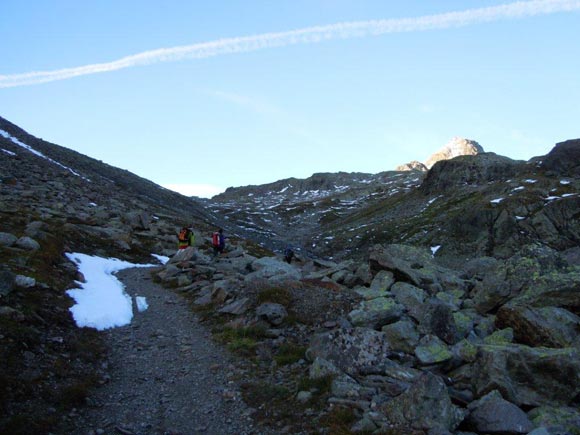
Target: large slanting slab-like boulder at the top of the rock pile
x=415 y=266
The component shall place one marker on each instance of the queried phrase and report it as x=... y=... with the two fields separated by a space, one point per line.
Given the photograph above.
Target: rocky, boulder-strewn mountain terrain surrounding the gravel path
x=431 y=302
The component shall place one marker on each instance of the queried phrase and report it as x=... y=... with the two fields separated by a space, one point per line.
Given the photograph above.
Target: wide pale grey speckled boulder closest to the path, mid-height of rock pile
x=353 y=351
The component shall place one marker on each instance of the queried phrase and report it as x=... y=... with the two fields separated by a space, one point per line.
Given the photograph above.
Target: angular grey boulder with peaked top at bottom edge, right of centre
x=424 y=406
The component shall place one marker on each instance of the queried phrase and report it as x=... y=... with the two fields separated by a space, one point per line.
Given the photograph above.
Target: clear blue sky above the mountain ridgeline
x=200 y=96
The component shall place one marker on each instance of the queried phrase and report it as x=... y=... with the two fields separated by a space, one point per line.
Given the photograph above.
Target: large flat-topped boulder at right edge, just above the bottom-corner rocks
x=528 y=376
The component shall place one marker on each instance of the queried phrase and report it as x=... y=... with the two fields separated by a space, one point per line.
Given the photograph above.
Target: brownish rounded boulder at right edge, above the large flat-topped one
x=542 y=326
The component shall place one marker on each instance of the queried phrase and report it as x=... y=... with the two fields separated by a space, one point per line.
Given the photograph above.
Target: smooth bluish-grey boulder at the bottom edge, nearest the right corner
x=493 y=415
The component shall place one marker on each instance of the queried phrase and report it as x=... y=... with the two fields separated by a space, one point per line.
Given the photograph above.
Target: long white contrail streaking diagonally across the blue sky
x=308 y=35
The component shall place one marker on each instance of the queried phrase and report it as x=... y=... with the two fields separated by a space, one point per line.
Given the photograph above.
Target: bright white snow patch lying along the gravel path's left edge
x=101 y=301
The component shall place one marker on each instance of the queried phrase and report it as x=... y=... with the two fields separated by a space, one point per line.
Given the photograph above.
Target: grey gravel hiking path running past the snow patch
x=167 y=376
